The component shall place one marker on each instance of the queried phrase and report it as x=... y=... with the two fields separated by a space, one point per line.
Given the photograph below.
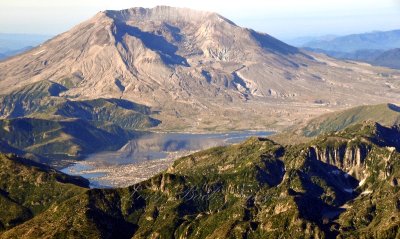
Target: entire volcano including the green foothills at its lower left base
x=172 y=69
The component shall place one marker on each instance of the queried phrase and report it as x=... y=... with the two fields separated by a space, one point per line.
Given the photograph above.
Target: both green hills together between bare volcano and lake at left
x=38 y=124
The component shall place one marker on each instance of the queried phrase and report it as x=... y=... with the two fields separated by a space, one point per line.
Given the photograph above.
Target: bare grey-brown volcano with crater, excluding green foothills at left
x=200 y=70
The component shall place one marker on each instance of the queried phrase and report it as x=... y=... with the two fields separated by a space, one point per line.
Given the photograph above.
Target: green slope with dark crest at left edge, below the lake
x=28 y=188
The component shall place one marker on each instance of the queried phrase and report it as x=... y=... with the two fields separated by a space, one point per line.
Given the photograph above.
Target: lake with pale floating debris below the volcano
x=143 y=157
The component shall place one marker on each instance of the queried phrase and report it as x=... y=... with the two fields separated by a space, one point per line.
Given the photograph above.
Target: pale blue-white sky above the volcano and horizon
x=284 y=19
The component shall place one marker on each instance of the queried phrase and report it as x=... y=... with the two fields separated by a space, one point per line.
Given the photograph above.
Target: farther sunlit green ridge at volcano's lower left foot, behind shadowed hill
x=40 y=100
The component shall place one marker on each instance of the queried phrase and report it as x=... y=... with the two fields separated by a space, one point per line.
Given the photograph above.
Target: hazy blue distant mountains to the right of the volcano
x=377 y=48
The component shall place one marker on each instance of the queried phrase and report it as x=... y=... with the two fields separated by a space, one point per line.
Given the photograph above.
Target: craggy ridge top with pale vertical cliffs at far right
x=366 y=157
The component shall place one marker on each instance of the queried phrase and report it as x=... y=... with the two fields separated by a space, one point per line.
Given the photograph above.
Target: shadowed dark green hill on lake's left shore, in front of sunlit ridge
x=62 y=139
